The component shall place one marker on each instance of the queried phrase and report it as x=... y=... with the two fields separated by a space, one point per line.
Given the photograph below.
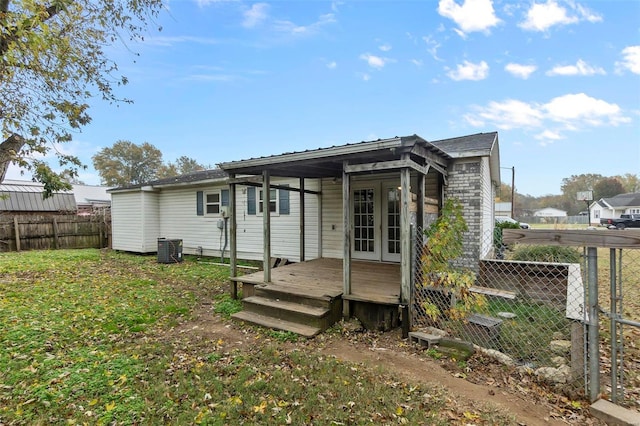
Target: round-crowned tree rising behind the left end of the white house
x=126 y=163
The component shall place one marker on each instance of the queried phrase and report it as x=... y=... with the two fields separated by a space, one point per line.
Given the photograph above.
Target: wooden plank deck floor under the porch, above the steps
x=372 y=282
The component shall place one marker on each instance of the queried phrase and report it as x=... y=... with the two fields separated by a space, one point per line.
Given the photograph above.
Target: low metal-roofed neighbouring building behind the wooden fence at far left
x=25 y=197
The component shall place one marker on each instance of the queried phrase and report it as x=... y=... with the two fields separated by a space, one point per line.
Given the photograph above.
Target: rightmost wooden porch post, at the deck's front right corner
x=405 y=237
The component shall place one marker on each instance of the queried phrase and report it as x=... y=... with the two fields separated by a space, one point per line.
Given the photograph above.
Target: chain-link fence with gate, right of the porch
x=526 y=306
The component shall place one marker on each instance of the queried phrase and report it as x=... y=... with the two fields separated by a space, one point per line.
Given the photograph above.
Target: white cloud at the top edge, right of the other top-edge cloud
x=542 y=16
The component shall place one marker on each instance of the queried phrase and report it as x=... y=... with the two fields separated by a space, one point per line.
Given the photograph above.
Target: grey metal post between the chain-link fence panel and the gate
x=594 y=332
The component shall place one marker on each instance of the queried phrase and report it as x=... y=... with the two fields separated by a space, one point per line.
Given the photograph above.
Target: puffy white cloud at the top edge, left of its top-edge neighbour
x=472 y=15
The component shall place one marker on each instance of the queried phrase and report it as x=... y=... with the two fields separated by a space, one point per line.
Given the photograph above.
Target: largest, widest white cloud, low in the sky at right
x=572 y=112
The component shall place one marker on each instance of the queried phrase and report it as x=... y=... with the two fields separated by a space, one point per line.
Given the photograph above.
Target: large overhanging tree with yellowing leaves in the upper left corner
x=52 y=61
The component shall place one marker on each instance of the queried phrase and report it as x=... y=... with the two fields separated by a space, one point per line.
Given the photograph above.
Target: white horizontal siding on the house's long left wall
x=141 y=218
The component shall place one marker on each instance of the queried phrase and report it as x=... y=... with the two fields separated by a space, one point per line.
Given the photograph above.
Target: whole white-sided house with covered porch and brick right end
x=291 y=207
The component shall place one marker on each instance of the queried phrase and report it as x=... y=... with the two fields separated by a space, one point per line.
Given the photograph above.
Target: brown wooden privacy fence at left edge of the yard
x=43 y=232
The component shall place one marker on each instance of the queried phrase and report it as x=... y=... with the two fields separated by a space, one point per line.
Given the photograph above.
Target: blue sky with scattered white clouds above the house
x=230 y=80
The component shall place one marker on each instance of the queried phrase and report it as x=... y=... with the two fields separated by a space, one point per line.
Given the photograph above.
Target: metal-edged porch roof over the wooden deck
x=328 y=162
